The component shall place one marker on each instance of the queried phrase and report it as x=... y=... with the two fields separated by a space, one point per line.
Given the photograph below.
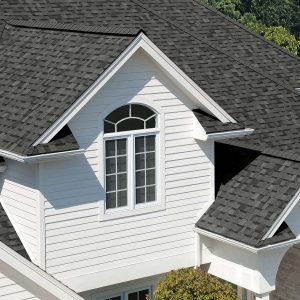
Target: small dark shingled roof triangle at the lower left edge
x=8 y=235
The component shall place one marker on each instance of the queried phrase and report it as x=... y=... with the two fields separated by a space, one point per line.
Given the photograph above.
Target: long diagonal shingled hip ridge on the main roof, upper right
x=183 y=29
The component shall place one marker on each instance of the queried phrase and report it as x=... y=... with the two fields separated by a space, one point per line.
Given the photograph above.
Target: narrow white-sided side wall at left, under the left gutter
x=19 y=198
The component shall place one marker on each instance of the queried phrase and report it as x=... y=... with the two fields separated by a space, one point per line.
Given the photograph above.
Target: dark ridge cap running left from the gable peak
x=109 y=30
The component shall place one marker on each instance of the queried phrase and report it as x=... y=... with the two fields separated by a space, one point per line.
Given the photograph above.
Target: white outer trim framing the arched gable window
x=132 y=210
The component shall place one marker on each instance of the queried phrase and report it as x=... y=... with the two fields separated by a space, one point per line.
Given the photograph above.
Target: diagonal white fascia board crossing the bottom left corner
x=36 y=275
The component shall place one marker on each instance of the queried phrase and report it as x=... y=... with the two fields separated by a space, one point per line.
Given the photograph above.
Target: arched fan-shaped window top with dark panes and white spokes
x=130 y=117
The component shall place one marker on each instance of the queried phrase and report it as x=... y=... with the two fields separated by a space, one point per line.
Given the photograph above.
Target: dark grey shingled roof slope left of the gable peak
x=42 y=72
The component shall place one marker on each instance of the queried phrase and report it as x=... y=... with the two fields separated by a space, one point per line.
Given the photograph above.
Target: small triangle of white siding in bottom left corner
x=10 y=290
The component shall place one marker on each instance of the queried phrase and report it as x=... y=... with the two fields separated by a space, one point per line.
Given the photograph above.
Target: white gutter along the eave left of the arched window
x=40 y=158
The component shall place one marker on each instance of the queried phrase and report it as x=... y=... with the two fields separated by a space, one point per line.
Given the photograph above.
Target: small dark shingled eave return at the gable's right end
x=213 y=125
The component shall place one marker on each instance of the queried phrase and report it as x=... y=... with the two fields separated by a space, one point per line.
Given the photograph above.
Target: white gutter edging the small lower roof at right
x=242 y=245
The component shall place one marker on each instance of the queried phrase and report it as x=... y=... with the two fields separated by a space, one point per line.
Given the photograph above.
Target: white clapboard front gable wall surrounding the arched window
x=85 y=252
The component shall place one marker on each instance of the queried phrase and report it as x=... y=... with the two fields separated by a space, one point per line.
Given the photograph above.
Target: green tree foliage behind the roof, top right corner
x=276 y=20
